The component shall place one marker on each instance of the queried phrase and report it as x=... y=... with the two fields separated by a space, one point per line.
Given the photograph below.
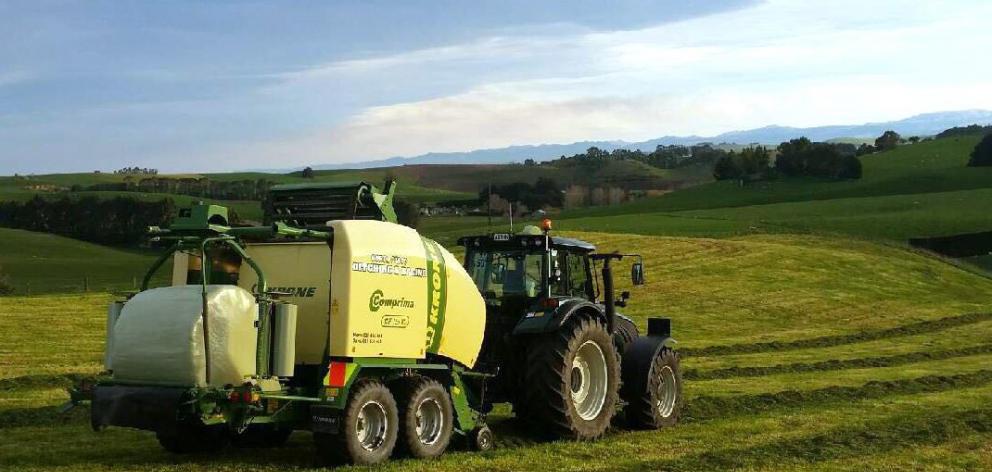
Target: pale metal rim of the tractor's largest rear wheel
x=588 y=380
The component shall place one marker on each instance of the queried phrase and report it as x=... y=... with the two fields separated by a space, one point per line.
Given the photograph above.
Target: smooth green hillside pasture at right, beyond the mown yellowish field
x=914 y=191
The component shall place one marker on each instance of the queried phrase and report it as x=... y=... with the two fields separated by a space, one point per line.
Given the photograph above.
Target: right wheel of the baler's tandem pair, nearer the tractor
x=426 y=419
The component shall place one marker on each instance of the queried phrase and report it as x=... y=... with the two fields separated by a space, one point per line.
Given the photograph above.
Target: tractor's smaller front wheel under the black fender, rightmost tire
x=657 y=408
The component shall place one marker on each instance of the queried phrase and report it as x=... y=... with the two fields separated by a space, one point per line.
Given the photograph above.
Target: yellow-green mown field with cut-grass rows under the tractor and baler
x=800 y=352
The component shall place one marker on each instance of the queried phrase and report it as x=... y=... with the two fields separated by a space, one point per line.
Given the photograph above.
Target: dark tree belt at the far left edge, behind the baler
x=120 y=220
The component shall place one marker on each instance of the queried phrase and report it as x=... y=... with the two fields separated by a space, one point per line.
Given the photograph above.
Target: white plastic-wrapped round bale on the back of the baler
x=158 y=338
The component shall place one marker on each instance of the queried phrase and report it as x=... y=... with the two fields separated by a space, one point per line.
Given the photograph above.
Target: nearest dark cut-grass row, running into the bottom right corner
x=929 y=428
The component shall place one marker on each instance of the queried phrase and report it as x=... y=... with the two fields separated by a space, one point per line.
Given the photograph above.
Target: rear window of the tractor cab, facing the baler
x=503 y=273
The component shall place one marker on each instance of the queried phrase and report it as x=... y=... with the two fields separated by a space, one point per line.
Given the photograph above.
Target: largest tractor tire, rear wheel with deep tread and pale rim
x=554 y=380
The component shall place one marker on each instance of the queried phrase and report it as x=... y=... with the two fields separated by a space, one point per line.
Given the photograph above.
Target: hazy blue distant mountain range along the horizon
x=919 y=125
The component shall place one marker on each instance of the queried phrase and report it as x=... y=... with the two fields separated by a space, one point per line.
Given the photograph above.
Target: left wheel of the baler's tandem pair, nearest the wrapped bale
x=369 y=426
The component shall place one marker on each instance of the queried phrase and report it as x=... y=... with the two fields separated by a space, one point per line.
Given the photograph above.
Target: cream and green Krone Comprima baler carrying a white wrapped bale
x=362 y=333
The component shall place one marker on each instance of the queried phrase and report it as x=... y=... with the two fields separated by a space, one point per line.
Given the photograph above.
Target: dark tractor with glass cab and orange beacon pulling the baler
x=555 y=345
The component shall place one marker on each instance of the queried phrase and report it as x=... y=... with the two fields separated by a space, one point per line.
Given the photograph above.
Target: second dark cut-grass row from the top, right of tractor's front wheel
x=864 y=362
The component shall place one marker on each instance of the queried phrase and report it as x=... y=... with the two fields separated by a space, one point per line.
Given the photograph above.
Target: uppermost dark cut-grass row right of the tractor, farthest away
x=837 y=340
